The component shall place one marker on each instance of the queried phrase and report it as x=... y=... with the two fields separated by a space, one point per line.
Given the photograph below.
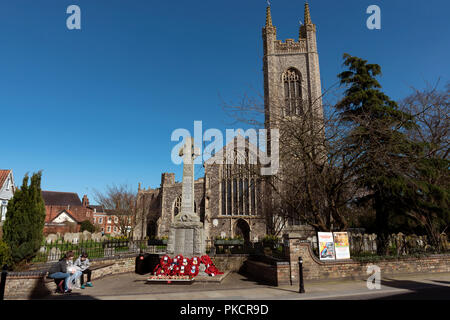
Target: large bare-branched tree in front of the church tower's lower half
x=314 y=185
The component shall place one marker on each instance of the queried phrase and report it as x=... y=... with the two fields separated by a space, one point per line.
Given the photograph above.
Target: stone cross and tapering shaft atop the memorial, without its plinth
x=189 y=152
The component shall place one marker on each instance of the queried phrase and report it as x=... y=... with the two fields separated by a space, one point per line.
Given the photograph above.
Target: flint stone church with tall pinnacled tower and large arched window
x=227 y=198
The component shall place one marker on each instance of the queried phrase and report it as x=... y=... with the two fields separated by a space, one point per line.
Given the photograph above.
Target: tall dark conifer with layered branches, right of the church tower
x=378 y=141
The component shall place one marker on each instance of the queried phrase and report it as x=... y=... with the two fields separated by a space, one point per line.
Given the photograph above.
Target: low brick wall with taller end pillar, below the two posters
x=315 y=269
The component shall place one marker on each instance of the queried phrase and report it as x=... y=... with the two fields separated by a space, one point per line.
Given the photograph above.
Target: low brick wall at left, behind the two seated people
x=32 y=285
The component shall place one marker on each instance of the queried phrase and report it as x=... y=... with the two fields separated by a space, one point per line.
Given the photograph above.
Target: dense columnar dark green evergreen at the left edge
x=25 y=218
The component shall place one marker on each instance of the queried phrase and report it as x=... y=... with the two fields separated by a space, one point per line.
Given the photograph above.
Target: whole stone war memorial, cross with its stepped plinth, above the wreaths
x=186 y=235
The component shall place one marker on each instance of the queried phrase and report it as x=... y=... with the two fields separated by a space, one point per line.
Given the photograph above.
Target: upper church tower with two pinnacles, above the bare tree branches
x=291 y=73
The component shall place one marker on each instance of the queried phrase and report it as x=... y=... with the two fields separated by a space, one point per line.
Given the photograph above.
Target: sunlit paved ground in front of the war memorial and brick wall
x=237 y=287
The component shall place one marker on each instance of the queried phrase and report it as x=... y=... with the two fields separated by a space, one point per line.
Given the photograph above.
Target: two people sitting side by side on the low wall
x=66 y=272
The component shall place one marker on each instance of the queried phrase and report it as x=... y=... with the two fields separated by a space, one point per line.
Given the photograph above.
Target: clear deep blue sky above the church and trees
x=97 y=106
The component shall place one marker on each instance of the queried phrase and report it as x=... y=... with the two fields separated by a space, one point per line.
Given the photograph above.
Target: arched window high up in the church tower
x=292 y=81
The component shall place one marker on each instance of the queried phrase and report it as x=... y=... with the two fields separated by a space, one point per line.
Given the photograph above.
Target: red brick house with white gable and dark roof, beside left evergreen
x=65 y=212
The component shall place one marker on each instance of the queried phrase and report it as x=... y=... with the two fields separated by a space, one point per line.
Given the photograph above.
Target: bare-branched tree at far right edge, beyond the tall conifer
x=430 y=205
